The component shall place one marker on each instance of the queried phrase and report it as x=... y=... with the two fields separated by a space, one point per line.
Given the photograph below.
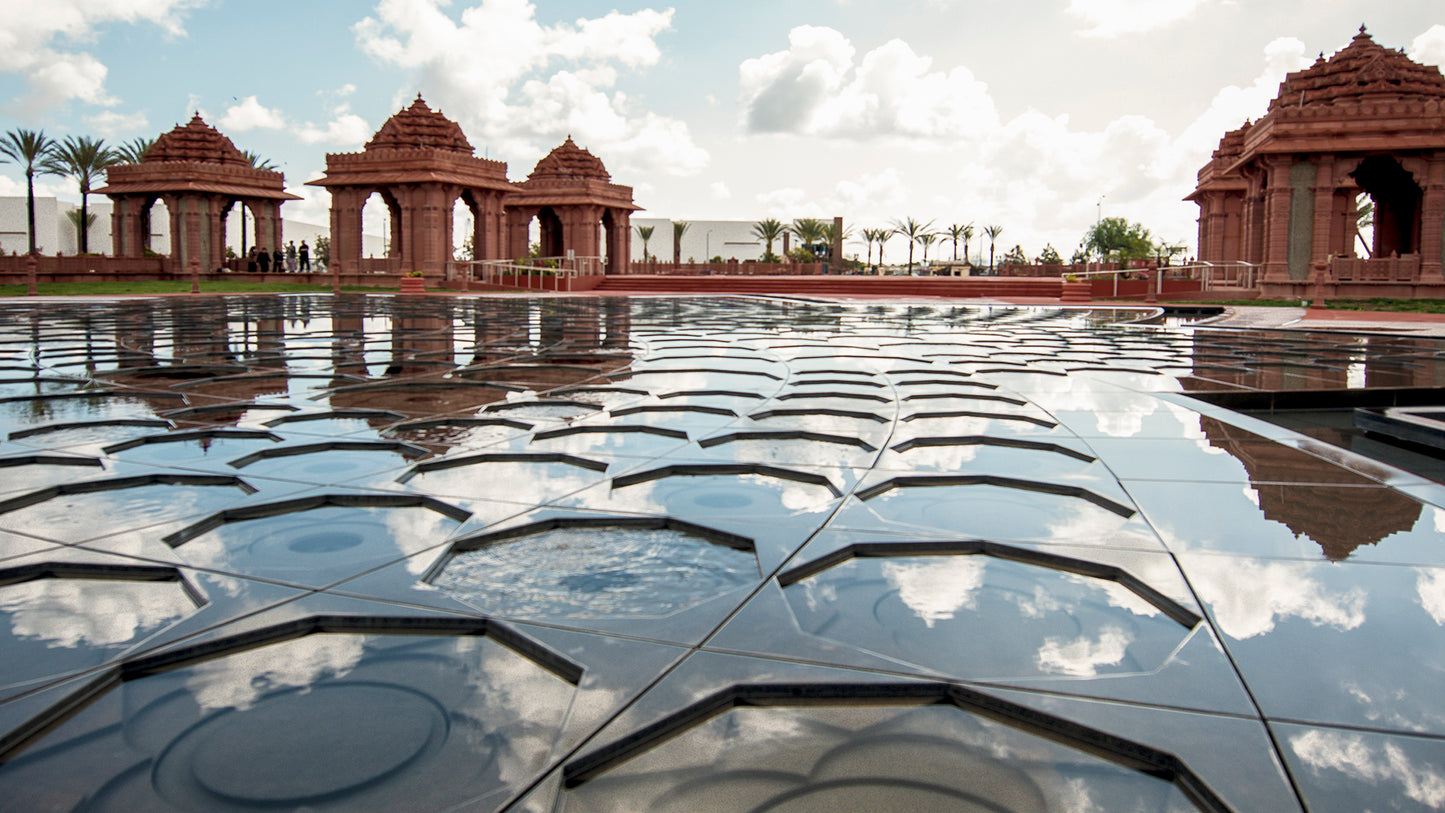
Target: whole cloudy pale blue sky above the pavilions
x=1032 y=115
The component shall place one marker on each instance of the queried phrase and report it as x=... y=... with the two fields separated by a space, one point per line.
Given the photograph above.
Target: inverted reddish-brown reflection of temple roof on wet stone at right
x=1337 y=519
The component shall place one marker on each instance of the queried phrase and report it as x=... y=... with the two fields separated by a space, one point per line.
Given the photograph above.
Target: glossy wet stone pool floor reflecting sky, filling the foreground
x=374 y=554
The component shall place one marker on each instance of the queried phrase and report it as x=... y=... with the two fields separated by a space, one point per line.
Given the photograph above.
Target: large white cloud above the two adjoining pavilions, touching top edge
x=519 y=87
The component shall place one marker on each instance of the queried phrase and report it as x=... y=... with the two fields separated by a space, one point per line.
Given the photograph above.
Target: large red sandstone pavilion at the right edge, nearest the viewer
x=1287 y=193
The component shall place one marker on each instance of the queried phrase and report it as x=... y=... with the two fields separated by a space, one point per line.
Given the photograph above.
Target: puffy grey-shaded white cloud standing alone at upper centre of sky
x=816 y=89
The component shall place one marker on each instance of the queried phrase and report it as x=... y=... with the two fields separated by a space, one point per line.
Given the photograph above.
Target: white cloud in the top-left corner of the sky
x=38 y=43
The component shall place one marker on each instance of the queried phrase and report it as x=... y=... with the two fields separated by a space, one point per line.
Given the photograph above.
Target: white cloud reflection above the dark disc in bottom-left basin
x=239 y=681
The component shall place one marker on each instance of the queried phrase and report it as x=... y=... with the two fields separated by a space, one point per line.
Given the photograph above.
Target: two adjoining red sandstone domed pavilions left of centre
x=421 y=164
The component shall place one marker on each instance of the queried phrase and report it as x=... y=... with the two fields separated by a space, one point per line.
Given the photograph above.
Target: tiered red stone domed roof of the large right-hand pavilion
x=1363 y=70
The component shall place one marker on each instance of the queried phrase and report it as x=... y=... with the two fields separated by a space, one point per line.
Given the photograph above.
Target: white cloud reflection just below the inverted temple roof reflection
x=1249 y=596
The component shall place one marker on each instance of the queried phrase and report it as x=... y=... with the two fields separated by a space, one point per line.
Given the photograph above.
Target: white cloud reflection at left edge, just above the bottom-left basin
x=70 y=613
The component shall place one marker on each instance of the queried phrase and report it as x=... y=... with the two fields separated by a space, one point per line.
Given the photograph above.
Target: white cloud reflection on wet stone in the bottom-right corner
x=1350 y=755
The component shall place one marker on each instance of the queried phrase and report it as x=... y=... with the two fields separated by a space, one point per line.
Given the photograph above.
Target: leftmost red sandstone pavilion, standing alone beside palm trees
x=202 y=177
